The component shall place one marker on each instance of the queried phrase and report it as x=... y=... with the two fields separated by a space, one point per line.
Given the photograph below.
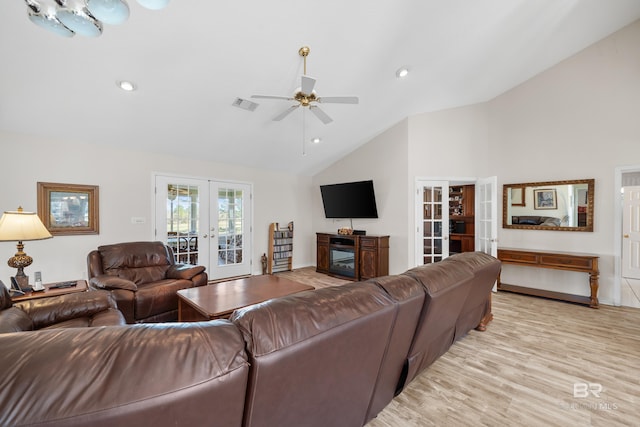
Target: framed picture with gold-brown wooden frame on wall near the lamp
x=68 y=209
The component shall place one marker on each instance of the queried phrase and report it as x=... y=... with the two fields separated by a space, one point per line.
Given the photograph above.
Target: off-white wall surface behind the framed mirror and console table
x=577 y=120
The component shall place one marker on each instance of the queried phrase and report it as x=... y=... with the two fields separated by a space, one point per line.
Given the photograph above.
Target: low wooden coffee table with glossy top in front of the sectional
x=219 y=300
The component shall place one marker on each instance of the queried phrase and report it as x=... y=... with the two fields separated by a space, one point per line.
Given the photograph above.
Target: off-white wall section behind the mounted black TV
x=384 y=161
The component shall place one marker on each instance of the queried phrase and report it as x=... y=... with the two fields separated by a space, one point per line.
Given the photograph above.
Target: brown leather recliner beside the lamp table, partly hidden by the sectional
x=83 y=309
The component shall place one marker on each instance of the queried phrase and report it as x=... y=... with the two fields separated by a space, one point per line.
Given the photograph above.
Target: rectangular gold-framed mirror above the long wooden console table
x=553 y=205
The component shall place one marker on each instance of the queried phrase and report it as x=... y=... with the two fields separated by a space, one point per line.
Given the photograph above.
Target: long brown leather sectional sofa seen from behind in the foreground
x=330 y=357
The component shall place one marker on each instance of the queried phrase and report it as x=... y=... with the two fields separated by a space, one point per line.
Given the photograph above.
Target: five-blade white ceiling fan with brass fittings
x=307 y=97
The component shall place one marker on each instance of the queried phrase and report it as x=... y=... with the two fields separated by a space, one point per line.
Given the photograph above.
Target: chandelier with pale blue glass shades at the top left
x=84 y=17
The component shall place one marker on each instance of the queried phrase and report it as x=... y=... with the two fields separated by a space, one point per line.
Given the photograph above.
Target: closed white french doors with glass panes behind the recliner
x=206 y=223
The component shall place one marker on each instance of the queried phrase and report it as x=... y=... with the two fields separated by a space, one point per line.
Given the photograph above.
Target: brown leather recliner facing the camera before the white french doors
x=144 y=278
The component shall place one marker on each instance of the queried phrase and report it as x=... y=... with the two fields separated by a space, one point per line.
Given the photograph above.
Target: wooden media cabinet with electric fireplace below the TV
x=352 y=257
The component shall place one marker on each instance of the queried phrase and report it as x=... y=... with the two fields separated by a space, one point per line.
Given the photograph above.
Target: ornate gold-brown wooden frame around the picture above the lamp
x=90 y=192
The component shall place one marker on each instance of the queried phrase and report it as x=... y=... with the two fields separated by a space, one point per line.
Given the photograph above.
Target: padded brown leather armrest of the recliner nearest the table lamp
x=49 y=311
